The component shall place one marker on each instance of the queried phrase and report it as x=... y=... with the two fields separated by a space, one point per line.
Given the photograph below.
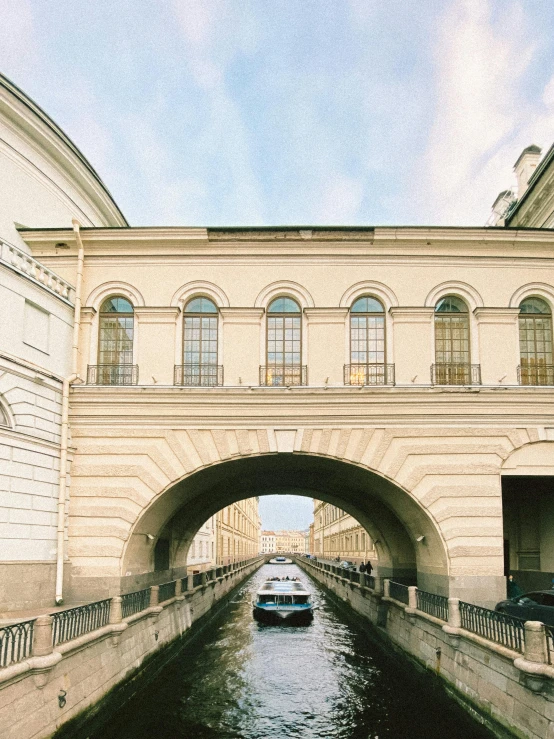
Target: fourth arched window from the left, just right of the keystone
x=367 y=343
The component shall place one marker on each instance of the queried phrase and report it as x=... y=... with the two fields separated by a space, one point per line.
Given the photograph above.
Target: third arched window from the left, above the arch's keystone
x=284 y=344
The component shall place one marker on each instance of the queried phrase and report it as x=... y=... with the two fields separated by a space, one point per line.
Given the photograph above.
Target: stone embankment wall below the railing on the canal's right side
x=512 y=696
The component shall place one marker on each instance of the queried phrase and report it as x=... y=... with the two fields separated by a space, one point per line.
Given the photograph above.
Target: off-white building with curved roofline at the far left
x=46 y=180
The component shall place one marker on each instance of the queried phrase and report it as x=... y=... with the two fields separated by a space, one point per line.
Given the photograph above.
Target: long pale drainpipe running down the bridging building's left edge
x=63 y=487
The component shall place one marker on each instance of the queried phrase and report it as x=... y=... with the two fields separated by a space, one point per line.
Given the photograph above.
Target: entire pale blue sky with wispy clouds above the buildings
x=251 y=112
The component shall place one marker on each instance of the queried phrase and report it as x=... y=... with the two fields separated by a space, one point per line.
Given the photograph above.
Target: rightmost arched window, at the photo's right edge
x=535 y=343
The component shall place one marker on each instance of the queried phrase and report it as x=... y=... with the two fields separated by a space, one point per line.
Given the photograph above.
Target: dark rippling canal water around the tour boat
x=243 y=680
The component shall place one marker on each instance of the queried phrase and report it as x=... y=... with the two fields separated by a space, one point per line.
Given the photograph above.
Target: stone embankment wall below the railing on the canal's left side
x=43 y=693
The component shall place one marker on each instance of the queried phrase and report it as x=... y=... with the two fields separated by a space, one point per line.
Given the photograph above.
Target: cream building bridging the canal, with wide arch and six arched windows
x=386 y=371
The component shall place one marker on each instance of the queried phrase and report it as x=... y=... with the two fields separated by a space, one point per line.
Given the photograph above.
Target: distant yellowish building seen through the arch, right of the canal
x=337 y=535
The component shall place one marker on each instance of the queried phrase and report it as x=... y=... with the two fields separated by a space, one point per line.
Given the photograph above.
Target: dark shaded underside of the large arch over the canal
x=392 y=517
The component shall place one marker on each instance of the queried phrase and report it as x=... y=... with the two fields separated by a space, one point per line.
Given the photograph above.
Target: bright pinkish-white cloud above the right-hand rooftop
x=482 y=118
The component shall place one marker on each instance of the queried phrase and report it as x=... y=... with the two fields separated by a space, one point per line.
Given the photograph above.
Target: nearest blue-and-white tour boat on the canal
x=280 y=600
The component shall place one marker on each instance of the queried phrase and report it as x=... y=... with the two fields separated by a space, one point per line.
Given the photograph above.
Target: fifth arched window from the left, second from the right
x=452 y=356
